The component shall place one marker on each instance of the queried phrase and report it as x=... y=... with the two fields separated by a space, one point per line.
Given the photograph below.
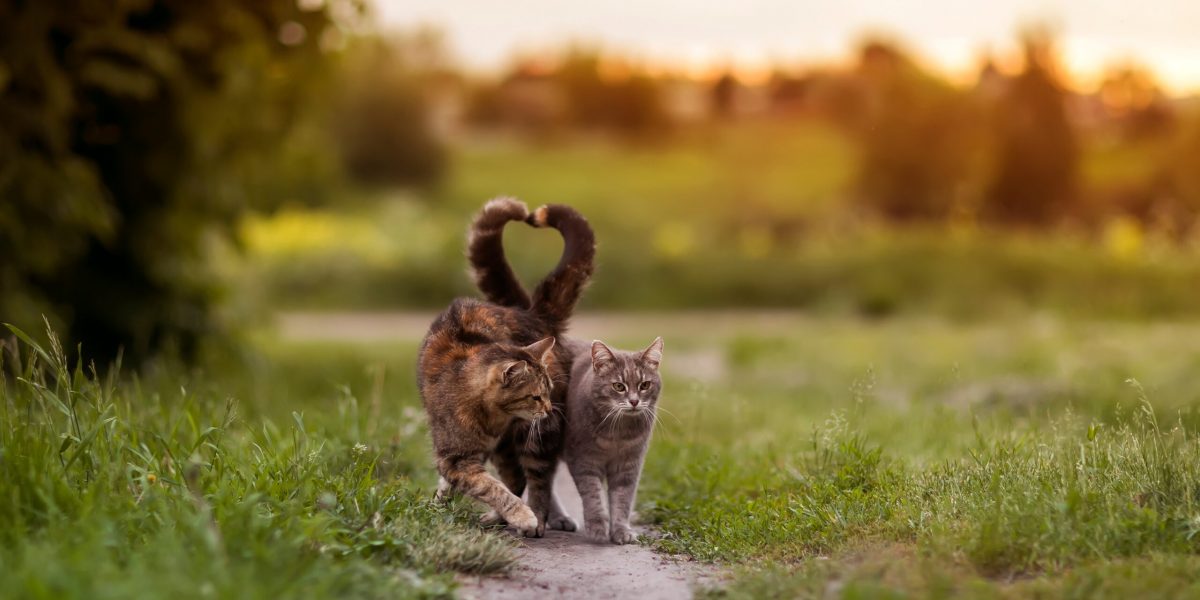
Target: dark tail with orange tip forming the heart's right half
x=555 y=298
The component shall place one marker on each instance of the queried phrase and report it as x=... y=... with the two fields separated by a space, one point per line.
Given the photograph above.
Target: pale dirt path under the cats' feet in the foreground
x=568 y=566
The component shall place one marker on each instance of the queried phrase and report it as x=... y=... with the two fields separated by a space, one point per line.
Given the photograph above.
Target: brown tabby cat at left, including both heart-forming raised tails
x=478 y=410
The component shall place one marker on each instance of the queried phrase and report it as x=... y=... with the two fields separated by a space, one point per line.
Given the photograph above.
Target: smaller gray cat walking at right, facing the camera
x=610 y=415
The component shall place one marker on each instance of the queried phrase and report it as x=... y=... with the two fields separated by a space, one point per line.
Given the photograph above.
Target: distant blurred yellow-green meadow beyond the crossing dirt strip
x=743 y=217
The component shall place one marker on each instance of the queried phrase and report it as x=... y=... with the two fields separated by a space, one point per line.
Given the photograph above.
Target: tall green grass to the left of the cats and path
x=143 y=488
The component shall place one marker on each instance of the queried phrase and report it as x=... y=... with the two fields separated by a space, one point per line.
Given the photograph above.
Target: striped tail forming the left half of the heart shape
x=485 y=251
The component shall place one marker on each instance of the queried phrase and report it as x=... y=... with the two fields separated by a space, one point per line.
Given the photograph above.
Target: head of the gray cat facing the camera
x=627 y=381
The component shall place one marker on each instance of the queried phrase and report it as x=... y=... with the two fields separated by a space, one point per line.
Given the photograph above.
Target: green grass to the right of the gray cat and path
x=915 y=459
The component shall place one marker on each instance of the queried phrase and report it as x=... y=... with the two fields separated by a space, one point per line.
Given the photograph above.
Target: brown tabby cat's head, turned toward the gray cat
x=521 y=380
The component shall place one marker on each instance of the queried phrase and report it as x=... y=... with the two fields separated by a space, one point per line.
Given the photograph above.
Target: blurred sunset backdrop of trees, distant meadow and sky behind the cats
x=175 y=173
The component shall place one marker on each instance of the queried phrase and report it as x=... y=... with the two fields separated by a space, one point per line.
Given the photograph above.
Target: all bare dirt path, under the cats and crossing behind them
x=567 y=565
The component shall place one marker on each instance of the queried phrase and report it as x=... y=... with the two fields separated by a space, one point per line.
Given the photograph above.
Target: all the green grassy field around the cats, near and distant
x=955 y=413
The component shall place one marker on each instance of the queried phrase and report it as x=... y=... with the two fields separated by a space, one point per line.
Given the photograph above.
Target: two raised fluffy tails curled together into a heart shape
x=555 y=298
